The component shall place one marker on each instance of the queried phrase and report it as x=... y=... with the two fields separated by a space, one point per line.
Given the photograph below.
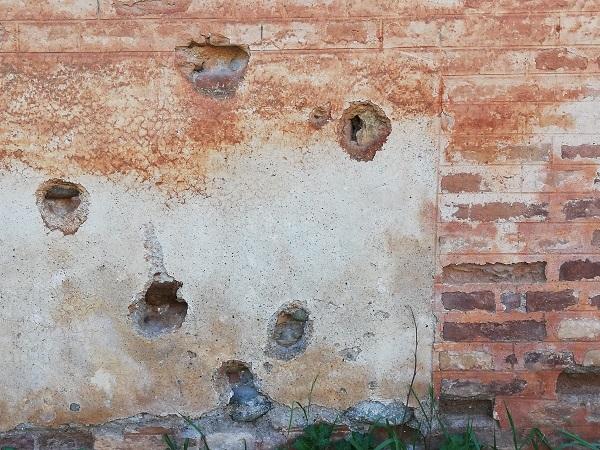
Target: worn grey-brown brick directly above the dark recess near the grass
x=452 y=388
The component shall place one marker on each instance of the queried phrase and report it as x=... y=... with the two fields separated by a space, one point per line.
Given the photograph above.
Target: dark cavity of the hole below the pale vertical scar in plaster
x=163 y=309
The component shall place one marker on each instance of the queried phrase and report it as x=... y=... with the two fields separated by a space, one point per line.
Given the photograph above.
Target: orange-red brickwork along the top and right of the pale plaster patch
x=510 y=90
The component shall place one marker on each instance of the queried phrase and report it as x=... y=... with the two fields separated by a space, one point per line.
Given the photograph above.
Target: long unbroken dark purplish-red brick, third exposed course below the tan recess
x=516 y=330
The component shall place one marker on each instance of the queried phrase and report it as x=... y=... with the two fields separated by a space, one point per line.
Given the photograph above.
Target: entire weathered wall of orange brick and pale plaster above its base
x=245 y=195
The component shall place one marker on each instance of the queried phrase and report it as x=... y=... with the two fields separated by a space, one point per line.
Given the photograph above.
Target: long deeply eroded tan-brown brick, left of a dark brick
x=520 y=272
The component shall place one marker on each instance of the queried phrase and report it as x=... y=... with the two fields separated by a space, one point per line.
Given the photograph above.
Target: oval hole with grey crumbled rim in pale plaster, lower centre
x=289 y=331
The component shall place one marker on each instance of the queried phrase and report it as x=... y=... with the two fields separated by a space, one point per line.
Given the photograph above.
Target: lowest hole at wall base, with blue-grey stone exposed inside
x=244 y=400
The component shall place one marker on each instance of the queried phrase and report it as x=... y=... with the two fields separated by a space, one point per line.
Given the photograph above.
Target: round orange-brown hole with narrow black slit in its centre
x=364 y=128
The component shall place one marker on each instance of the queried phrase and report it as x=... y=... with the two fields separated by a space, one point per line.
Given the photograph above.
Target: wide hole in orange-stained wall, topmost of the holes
x=214 y=67
